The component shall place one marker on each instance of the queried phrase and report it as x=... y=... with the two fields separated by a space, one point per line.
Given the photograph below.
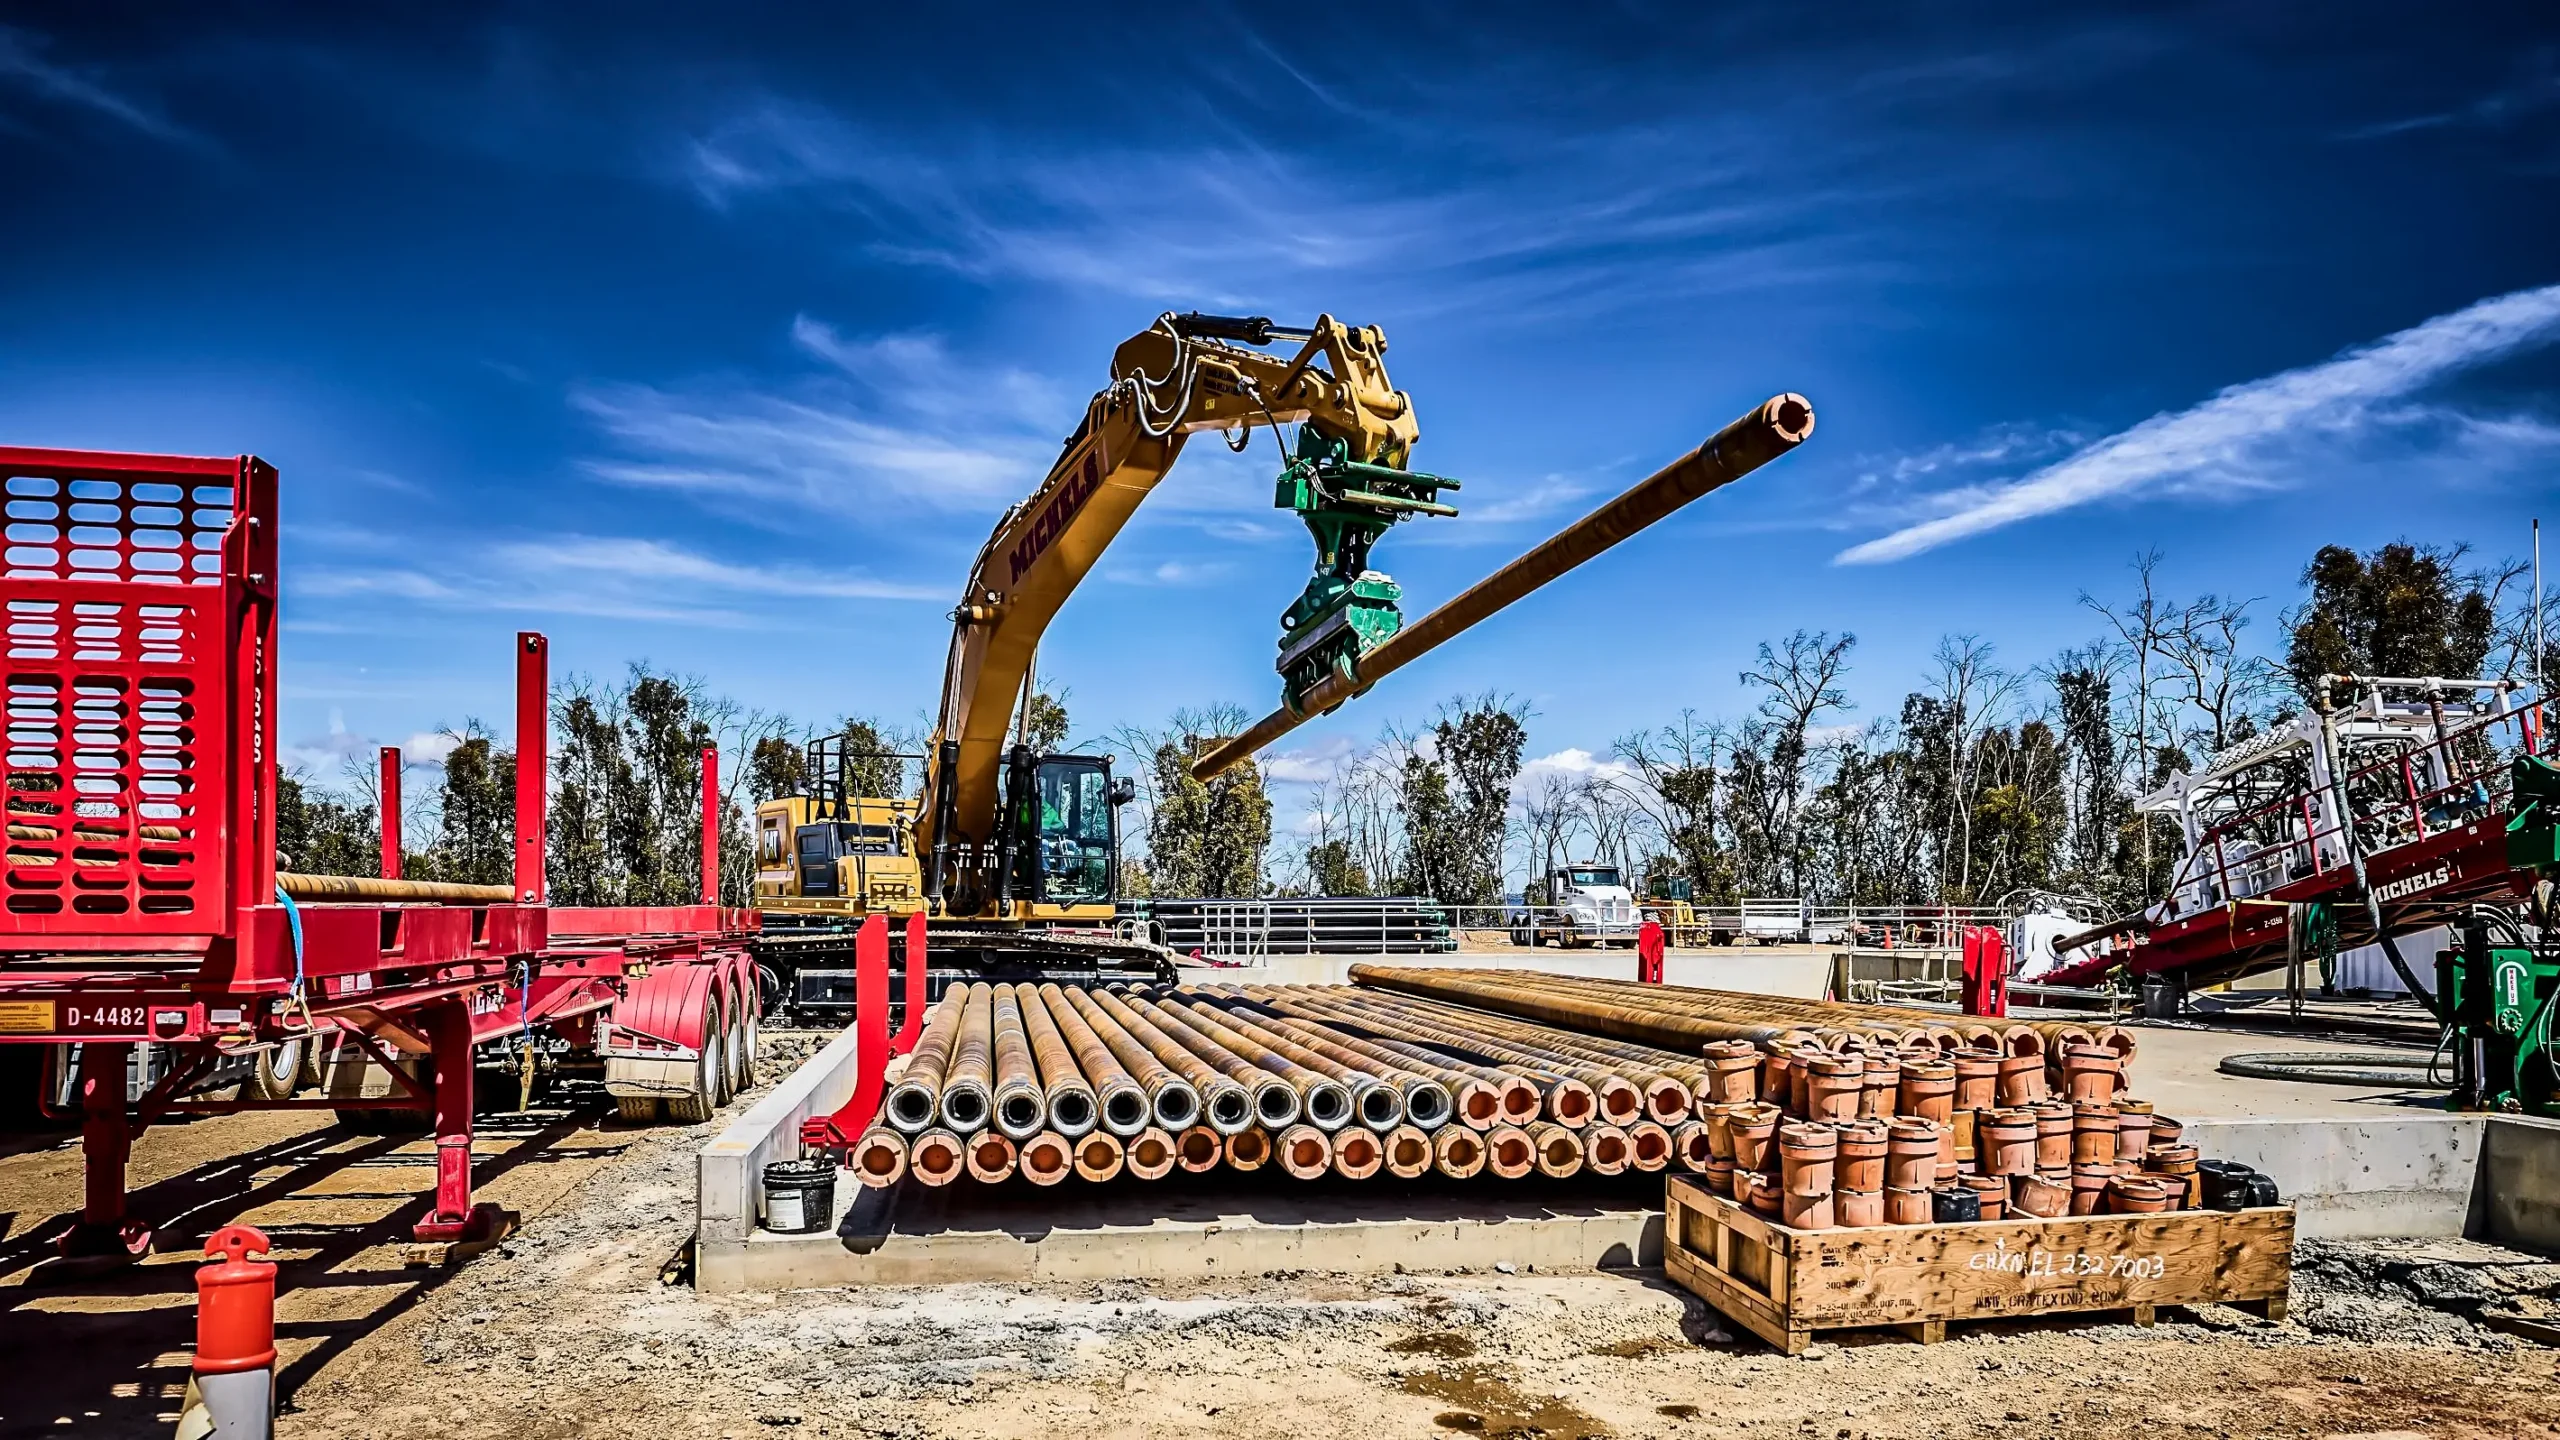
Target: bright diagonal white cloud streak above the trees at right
x=2223 y=447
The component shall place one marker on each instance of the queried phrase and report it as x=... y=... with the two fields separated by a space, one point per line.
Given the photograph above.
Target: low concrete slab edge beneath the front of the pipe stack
x=1199 y=1229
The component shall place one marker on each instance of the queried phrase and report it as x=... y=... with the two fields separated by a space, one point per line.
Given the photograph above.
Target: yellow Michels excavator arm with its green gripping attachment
x=1181 y=375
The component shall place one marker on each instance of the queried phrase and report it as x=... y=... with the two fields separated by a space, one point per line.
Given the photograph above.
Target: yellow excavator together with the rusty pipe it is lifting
x=1007 y=855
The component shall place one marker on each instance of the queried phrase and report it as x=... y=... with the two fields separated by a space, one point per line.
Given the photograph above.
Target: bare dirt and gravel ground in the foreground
x=577 y=1329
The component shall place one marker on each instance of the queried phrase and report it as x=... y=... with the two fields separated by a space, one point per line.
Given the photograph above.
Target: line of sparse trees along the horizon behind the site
x=1983 y=783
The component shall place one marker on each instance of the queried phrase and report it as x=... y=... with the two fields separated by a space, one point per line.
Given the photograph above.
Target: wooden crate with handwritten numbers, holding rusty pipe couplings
x=1786 y=1285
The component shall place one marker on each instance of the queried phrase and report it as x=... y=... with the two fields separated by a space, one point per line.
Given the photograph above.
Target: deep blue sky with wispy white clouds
x=721 y=340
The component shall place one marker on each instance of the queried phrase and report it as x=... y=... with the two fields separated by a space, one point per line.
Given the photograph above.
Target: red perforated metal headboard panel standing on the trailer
x=140 y=693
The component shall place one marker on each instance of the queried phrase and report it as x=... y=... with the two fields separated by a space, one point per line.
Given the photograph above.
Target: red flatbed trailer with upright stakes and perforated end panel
x=142 y=898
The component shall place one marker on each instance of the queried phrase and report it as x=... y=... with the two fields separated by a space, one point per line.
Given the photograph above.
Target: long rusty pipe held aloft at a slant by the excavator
x=1768 y=432
